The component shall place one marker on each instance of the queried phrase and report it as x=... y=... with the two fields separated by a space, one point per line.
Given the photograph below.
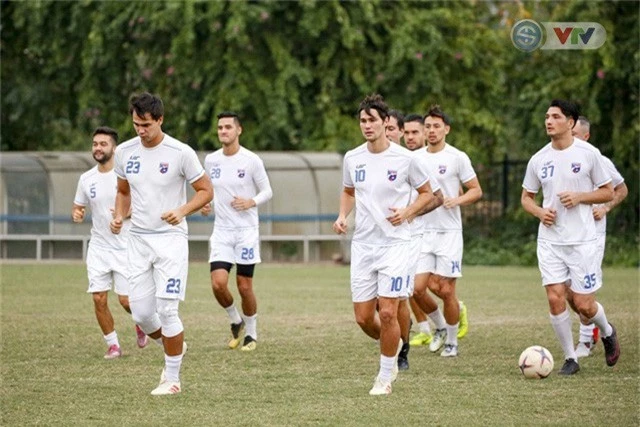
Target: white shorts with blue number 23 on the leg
x=158 y=264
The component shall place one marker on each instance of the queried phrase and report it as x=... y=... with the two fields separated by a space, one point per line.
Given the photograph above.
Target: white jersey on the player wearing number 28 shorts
x=238 y=175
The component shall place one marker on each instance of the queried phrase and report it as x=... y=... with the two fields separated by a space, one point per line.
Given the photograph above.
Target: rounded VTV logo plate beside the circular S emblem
x=574 y=35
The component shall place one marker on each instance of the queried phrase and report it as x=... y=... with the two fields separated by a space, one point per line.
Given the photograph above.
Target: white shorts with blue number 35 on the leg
x=558 y=263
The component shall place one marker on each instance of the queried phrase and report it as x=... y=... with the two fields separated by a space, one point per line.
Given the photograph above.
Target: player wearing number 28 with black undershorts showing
x=241 y=184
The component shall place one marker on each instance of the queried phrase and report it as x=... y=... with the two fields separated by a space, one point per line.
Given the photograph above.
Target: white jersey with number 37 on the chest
x=579 y=168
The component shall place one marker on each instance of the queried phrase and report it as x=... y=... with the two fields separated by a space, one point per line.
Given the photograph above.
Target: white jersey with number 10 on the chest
x=381 y=181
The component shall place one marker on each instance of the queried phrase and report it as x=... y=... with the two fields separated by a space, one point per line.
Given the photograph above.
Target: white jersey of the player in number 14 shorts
x=449 y=167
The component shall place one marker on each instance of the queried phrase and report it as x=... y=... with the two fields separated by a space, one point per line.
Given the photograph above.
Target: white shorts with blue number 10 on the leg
x=379 y=271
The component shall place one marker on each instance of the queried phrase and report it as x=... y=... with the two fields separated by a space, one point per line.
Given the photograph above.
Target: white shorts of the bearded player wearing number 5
x=106 y=267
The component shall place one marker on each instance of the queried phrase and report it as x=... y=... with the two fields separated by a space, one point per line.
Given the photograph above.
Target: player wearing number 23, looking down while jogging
x=153 y=169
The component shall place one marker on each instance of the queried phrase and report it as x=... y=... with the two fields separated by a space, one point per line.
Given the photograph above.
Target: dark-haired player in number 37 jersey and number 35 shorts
x=567 y=170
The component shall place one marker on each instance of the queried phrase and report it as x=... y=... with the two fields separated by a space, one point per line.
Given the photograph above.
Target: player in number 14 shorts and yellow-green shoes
x=441 y=260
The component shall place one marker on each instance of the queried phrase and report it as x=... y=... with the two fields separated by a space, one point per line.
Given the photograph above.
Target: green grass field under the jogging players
x=313 y=365
